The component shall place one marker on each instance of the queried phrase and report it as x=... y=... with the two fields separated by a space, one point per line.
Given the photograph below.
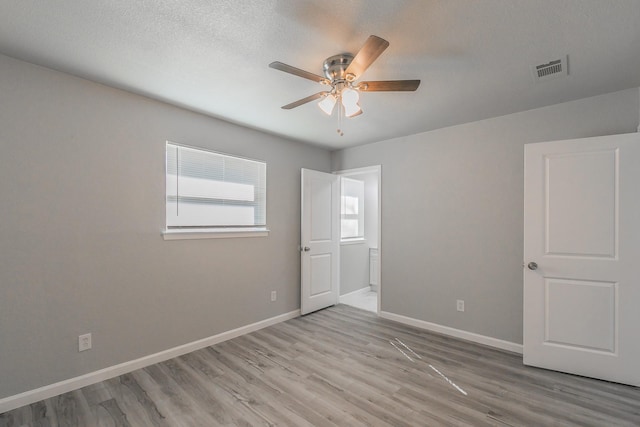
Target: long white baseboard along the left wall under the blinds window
x=32 y=396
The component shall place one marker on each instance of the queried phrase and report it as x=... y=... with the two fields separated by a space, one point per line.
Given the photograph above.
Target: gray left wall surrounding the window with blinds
x=82 y=188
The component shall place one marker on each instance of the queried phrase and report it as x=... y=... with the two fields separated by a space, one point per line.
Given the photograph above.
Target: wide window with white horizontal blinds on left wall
x=214 y=192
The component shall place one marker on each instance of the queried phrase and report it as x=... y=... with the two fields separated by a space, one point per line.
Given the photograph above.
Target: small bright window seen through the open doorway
x=352 y=209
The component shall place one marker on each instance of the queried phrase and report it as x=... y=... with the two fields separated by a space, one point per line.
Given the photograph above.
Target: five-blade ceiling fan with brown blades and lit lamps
x=341 y=74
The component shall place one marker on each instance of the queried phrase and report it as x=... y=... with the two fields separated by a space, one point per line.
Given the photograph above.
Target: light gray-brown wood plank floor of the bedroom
x=340 y=367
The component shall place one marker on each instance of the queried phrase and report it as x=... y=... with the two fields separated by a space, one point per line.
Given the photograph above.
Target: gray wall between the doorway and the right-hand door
x=452 y=210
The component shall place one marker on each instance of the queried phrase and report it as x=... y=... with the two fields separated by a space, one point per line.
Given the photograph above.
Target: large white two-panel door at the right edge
x=582 y=251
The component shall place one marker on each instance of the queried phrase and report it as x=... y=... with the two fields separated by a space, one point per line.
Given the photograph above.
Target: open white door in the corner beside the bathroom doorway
x=320 y=240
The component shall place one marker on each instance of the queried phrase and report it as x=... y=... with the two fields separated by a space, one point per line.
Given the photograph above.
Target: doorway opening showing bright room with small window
x=360 y=231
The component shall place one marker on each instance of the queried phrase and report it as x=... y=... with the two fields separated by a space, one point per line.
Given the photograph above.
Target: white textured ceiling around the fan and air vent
x=474 y=57
